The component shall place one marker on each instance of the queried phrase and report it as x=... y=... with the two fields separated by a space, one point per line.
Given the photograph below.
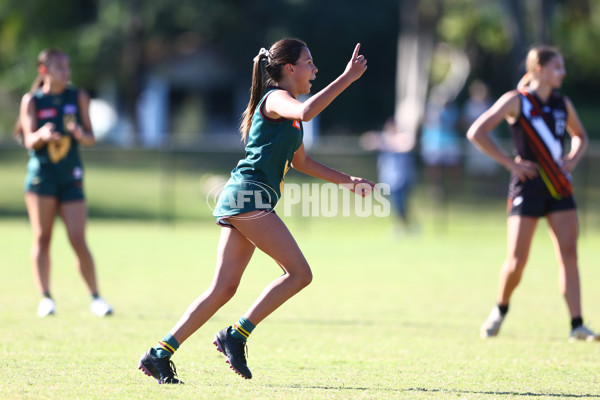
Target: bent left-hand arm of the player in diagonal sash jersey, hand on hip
x=507 y=107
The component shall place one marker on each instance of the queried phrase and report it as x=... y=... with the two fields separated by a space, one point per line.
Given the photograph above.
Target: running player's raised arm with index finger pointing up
x=283 y=104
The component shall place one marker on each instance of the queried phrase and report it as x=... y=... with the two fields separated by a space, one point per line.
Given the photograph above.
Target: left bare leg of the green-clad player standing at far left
x=42 y=211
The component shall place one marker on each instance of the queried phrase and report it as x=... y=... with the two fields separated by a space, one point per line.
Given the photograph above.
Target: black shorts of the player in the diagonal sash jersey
x=533 y=199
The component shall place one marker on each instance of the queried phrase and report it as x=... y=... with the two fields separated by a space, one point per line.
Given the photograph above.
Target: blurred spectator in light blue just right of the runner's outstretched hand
x=395 y=167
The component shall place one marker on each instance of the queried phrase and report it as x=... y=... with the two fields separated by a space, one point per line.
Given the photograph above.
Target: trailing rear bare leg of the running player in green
x=233 y=255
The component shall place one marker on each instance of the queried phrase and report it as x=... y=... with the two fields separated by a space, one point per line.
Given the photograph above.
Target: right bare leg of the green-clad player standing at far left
x=74 y=215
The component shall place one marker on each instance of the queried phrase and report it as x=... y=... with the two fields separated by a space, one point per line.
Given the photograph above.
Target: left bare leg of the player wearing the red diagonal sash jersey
x=520 y=234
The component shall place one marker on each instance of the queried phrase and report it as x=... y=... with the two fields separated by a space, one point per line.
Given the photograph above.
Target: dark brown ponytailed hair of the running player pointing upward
x=282 y=52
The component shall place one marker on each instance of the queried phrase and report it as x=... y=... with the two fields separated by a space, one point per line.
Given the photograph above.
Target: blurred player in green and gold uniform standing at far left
x=53 y=121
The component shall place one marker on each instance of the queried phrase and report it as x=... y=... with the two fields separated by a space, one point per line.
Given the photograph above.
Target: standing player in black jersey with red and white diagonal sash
x=539 y=117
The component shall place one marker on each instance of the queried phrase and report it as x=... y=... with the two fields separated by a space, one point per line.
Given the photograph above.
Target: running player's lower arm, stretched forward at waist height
x=304 y=163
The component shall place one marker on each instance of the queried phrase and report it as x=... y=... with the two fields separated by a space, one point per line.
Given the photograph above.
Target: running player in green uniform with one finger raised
x=272 y=128
